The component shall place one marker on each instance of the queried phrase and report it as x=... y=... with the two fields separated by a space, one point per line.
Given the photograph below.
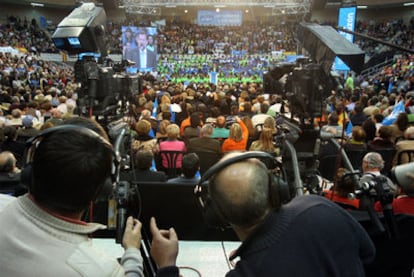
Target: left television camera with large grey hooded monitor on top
x=103 y=84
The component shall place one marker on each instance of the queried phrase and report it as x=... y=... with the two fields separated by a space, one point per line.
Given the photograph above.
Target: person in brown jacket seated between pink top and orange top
x=204 y=142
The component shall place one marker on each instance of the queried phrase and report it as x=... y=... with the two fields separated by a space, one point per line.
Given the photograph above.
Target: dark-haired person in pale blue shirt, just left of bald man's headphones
x=191 y=164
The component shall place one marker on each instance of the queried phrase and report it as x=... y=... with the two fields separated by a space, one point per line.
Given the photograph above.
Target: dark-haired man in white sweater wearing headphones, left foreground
x=42 y=232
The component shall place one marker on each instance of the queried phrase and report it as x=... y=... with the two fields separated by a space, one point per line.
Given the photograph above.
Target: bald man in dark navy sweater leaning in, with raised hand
x=309 y=236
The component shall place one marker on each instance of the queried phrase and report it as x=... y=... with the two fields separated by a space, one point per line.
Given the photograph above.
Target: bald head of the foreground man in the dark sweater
x=241 y=191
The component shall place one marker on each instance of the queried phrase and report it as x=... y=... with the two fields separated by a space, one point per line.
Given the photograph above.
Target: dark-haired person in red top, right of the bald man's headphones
x=339 y=193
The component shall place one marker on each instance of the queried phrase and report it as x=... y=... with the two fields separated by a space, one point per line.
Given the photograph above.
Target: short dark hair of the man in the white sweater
x=69 y=168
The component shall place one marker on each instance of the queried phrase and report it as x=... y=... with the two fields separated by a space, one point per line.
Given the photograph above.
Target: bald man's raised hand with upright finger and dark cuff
x=164 y=246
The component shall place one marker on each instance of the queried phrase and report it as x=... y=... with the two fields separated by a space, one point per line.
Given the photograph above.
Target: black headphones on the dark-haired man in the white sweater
x=26 y=176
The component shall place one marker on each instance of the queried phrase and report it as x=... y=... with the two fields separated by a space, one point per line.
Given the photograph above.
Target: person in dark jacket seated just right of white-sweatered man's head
x=143 y=161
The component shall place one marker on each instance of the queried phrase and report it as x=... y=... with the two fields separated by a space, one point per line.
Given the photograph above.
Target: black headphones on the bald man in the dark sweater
x=278 y=188
